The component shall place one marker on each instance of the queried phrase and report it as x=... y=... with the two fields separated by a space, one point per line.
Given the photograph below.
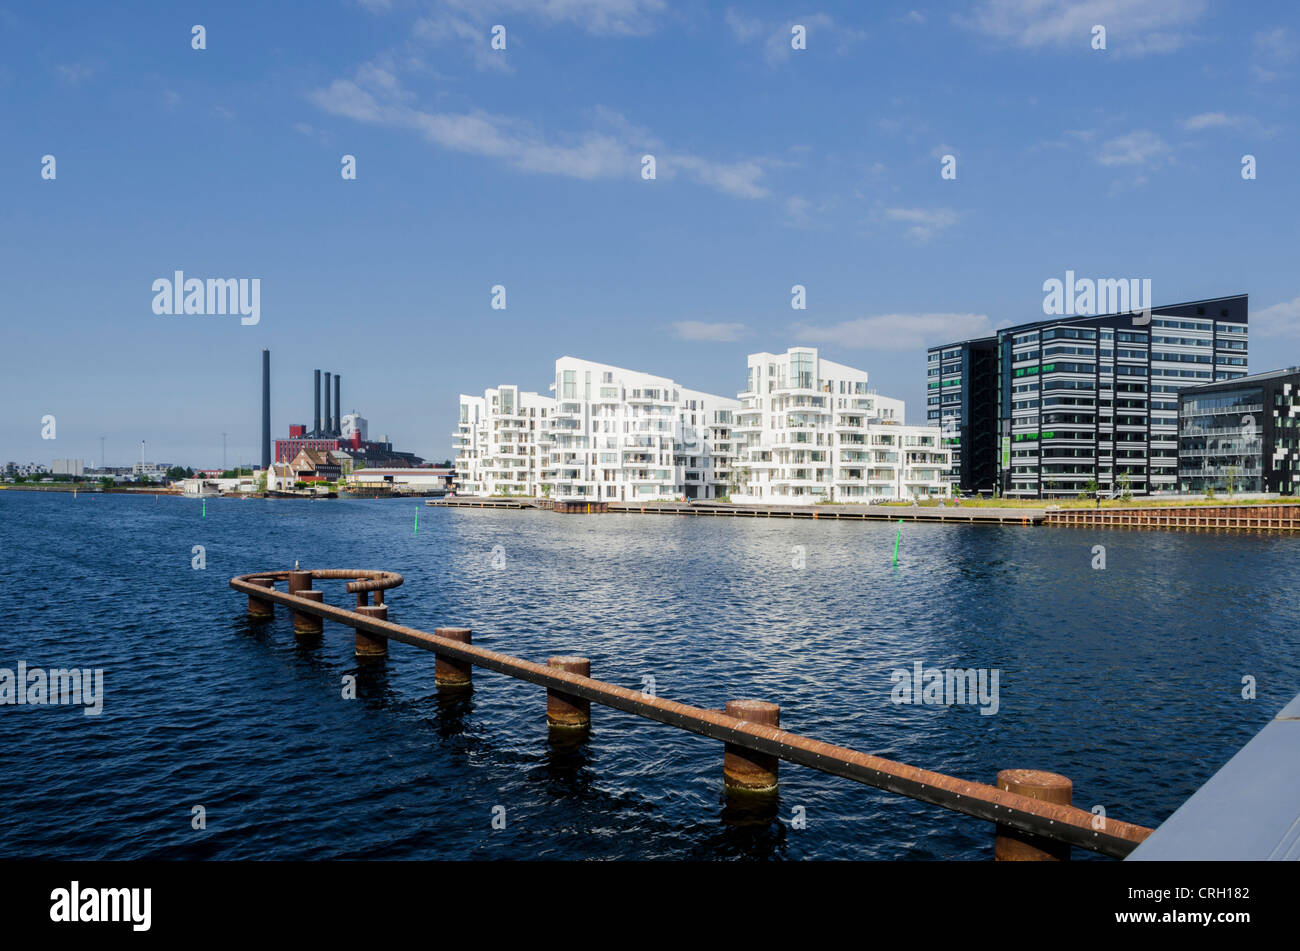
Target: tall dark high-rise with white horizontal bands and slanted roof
x=1069 y=402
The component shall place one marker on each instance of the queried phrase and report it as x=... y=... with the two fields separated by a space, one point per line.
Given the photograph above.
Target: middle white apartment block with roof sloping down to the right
x=625 y=436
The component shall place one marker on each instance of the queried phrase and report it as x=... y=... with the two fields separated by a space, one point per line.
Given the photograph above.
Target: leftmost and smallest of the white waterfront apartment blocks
x=502 y=442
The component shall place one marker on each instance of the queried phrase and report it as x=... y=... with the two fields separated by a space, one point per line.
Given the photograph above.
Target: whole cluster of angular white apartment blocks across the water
x=805 y=431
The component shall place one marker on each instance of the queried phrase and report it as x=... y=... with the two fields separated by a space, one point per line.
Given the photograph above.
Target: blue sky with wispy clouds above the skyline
x=523 y=168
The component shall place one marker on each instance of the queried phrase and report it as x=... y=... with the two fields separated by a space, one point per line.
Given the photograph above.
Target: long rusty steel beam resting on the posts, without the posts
x=1051 y=820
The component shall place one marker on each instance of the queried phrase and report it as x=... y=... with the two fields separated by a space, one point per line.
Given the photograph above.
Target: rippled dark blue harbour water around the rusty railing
x=1126 y=680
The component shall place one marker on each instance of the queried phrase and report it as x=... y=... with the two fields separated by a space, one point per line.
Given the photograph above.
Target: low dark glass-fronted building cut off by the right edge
x=1243 y=435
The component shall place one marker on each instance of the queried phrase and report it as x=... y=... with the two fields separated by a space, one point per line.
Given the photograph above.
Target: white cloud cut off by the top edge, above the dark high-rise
x=1133 y=27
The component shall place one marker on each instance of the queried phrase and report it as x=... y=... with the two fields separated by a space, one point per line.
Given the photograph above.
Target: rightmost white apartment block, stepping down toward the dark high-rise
x=812 y=431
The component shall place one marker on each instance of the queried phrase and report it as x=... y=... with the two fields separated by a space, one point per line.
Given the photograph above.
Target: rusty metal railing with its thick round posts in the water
x=1032 y=809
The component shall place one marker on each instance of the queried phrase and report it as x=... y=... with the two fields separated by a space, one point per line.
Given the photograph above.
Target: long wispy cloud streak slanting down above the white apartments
x=376 y=97
